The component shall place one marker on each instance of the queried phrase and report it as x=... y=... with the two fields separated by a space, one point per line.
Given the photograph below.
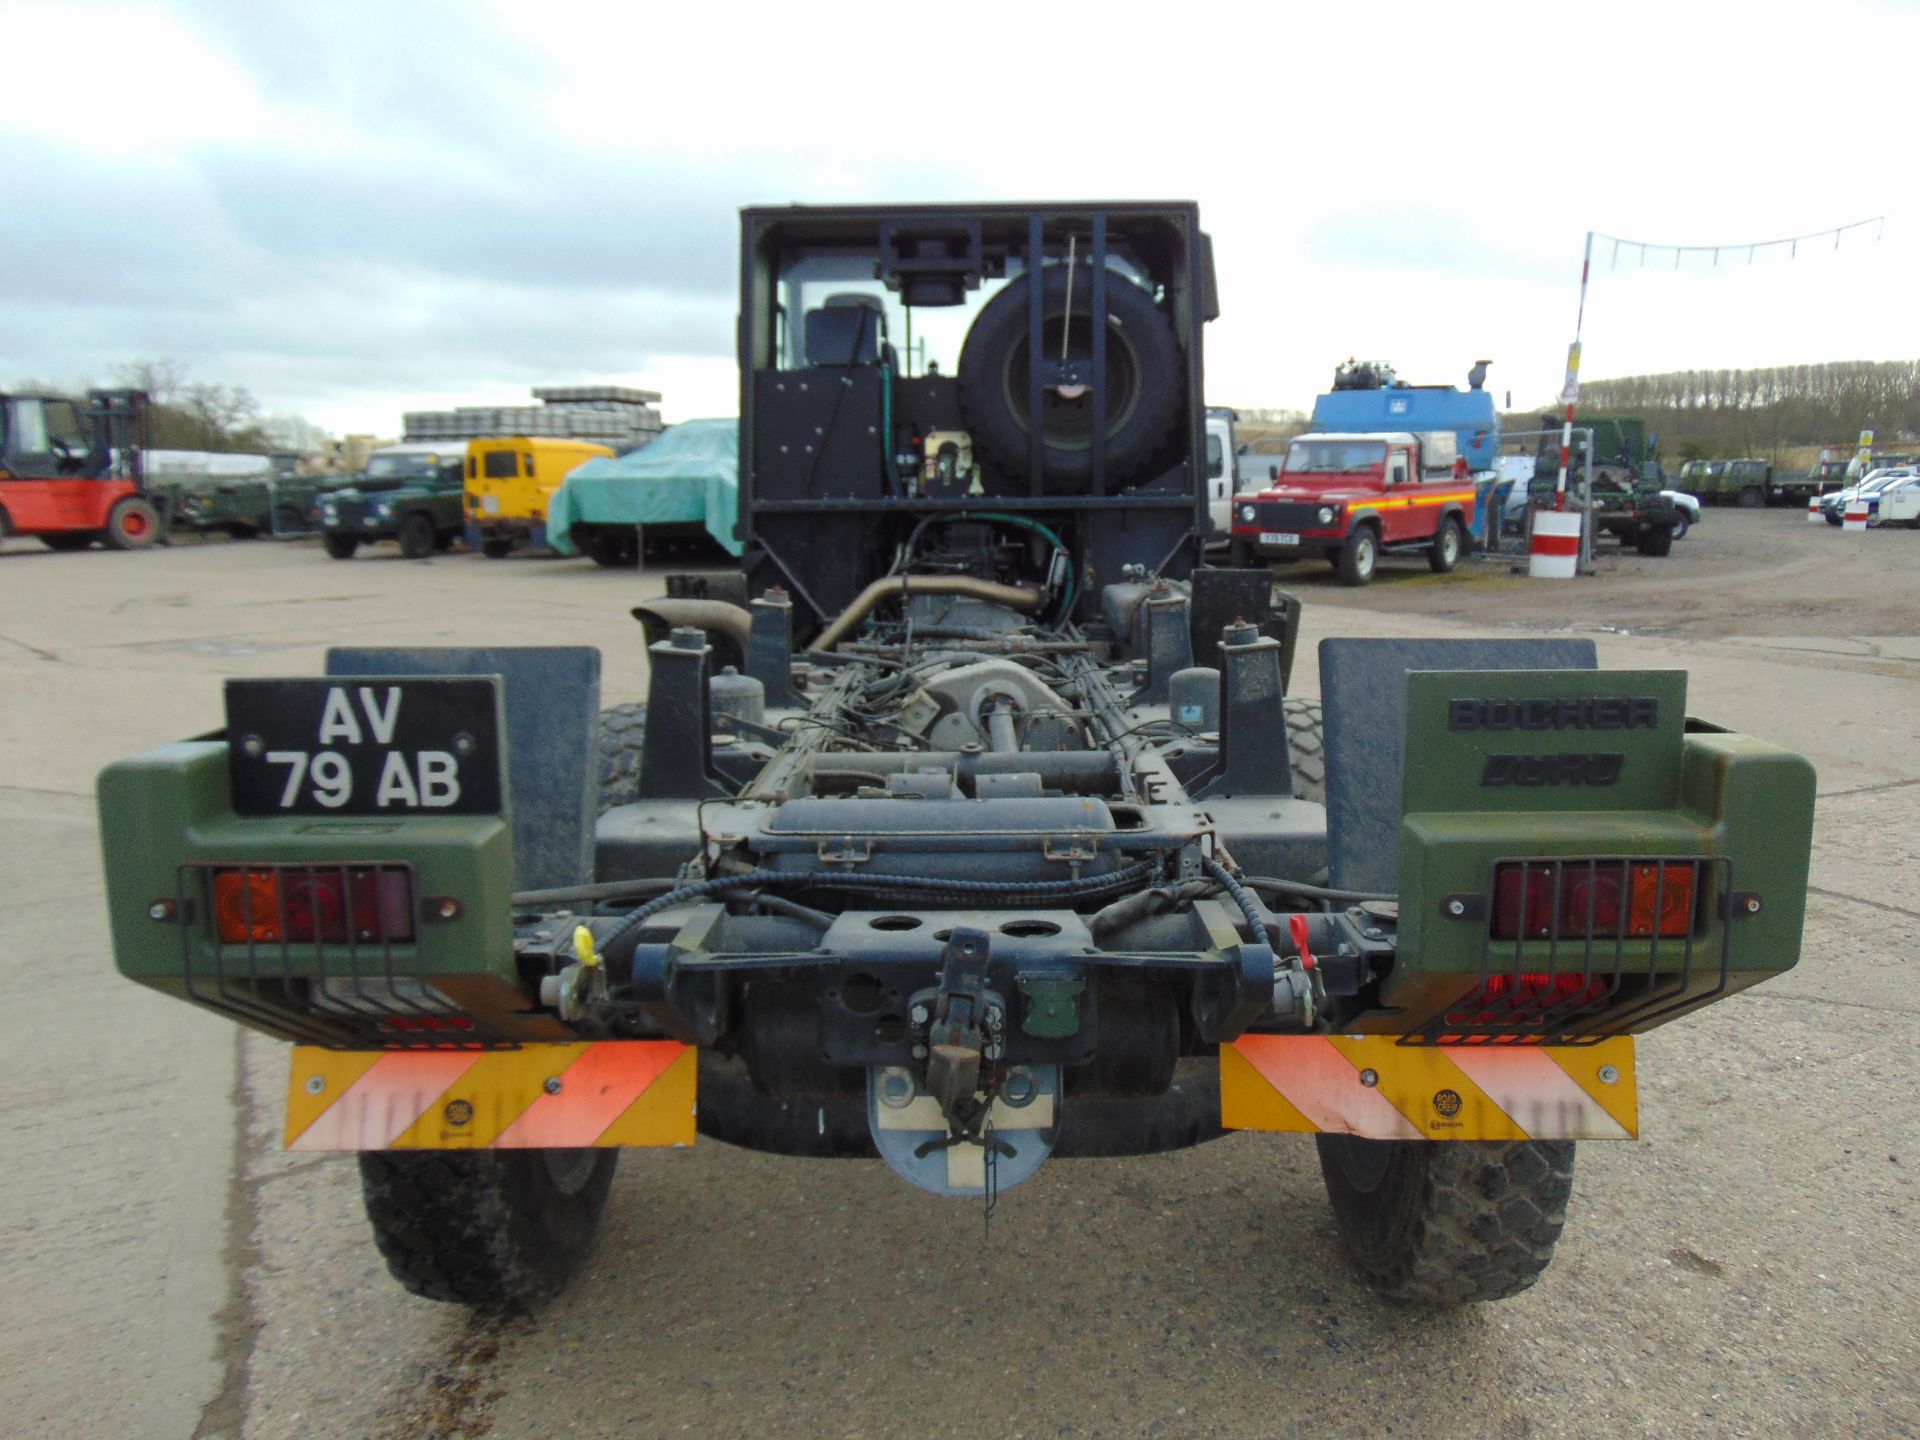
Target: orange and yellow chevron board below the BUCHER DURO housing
x=1376 y=1088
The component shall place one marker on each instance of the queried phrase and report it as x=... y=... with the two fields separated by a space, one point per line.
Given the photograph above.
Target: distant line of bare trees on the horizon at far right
x=1765 y=412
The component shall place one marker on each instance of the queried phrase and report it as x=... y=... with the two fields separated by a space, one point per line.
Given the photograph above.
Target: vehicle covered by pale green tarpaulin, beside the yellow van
x=686 y=477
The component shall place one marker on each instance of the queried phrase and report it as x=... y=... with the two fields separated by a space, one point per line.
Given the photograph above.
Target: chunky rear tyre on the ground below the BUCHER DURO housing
x=1449 y=1222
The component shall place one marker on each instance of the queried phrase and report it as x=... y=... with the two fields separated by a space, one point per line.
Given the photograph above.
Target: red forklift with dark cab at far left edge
x=72 y=475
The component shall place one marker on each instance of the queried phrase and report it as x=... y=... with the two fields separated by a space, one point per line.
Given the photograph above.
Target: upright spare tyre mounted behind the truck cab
x=1143 y=377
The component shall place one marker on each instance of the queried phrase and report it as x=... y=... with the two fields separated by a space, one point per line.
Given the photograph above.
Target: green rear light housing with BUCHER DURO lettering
x=1581 y=777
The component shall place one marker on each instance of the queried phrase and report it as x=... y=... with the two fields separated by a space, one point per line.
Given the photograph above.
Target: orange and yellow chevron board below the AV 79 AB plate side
x=596 y=1093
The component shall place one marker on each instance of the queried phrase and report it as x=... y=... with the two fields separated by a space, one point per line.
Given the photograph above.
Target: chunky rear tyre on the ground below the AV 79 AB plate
x=485 y=1228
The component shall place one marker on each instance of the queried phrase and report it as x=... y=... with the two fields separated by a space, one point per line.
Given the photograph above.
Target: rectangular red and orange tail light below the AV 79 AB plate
x=314 y=905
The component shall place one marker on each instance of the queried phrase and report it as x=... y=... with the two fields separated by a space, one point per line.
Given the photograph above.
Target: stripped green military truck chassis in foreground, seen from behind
x=1028 y=852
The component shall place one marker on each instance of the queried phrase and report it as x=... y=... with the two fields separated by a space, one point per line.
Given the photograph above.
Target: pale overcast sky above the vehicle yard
x=368 y=206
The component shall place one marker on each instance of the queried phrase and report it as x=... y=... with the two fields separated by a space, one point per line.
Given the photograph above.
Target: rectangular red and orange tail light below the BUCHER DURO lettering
x=1595 y=900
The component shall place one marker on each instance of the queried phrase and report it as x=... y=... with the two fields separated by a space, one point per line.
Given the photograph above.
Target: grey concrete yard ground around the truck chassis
x=1746 y=1268
